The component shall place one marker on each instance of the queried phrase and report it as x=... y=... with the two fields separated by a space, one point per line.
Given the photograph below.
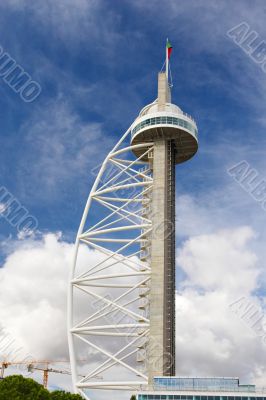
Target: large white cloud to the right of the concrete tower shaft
x=211 y=340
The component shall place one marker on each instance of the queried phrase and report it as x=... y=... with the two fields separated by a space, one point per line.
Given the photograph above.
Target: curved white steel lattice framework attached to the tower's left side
x=109 y=286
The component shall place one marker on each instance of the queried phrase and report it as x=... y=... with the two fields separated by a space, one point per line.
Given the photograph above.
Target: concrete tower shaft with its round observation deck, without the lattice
x=174 y=135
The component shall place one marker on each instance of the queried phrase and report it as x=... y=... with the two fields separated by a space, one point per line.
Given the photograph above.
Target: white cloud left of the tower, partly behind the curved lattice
x=33 y=304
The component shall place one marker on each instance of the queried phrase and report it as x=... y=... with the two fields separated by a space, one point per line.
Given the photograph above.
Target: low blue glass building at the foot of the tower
x=182 y=388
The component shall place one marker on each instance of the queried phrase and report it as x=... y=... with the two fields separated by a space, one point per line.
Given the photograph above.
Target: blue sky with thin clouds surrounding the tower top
x=97 y=64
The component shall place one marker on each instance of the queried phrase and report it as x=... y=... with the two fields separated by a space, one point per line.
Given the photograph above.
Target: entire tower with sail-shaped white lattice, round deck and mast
x=122 y=284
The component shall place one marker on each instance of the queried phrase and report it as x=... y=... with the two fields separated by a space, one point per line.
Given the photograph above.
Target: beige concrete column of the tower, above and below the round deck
x=161 y=348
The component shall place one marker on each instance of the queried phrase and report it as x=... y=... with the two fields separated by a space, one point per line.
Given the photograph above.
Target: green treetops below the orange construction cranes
x=16 y=387
